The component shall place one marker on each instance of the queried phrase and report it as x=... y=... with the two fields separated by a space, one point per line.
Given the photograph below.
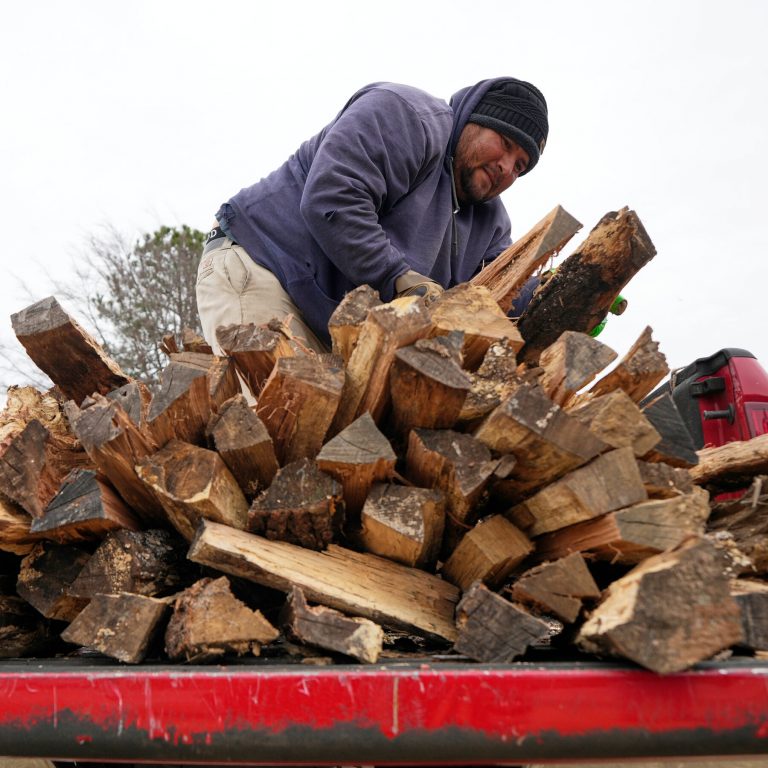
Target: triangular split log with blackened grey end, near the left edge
x=85 y=508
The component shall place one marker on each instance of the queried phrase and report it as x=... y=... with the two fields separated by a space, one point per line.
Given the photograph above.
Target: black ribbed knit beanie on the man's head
x=518 y=110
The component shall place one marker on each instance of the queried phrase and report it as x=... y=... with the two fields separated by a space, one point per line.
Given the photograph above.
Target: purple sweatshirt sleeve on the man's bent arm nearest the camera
x=372 y=155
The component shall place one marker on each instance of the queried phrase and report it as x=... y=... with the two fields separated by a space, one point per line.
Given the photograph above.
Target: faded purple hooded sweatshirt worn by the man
x=366 y=199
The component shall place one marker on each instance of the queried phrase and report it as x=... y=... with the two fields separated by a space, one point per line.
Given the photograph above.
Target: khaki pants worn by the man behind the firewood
x=233 y=289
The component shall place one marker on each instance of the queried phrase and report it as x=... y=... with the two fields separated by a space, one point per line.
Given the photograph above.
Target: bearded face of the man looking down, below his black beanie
x=486 y=163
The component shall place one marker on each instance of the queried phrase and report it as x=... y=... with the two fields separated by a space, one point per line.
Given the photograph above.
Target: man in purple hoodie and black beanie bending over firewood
x=400 y=192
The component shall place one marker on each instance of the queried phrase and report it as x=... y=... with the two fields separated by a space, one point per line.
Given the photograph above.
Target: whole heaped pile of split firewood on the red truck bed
x=448 y=475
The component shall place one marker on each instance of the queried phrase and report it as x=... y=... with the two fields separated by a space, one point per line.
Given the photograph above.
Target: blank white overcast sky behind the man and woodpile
x=147 y=113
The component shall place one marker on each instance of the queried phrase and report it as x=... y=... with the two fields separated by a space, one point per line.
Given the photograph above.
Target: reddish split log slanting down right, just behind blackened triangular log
x=116 y=444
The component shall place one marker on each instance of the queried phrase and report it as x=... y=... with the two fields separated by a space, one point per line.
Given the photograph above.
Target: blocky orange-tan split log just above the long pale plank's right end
x=489 y=553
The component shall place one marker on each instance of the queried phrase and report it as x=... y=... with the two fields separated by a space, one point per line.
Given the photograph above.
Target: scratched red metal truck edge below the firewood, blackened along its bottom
x=430 y=713
